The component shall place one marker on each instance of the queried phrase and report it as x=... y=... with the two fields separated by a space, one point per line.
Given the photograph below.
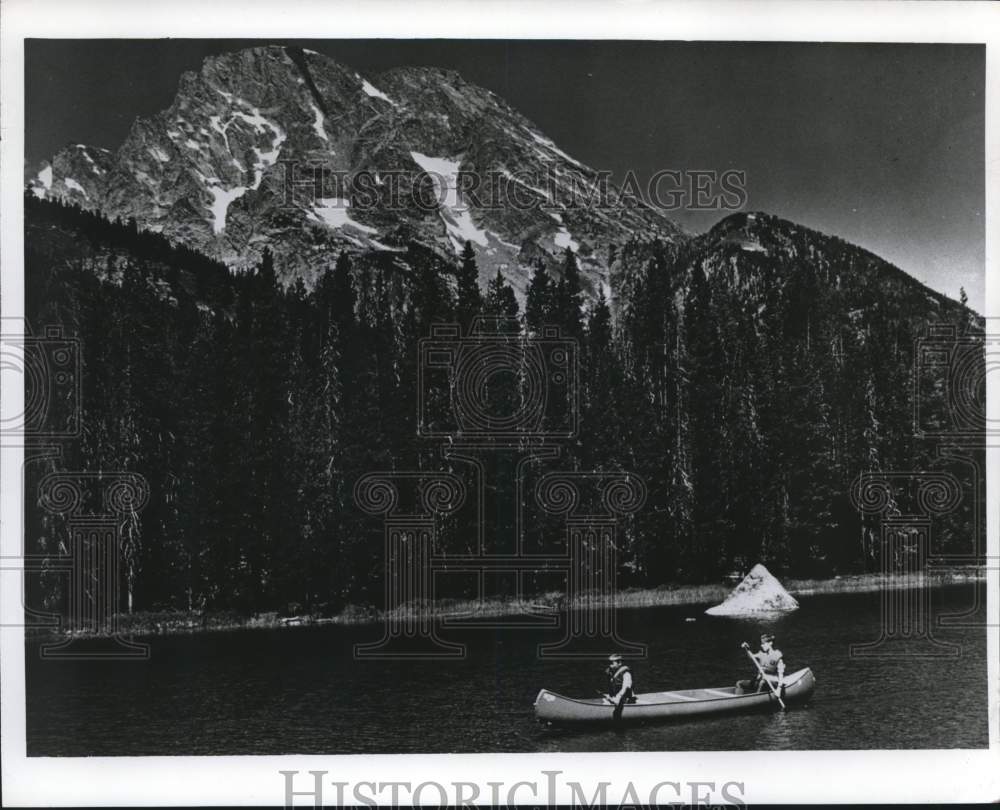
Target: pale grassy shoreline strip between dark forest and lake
x=159 y=623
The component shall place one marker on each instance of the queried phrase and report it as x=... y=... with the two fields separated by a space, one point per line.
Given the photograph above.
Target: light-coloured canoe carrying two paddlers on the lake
x=553 y=708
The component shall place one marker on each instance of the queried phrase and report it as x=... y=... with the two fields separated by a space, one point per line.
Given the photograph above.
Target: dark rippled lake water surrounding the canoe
x=300 y=690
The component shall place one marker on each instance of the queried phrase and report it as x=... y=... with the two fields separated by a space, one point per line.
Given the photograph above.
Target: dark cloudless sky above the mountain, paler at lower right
x=880 y=144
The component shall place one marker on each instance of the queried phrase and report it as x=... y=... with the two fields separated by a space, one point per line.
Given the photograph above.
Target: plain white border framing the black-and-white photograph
x=766 y=777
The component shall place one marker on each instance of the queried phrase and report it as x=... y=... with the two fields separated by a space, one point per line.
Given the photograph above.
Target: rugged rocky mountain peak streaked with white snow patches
x=249 y=154
